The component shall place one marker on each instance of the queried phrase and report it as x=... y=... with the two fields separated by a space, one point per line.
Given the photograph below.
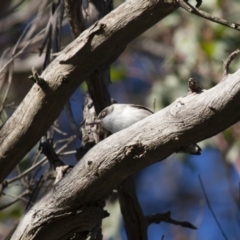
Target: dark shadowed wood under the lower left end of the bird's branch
x=82 y=220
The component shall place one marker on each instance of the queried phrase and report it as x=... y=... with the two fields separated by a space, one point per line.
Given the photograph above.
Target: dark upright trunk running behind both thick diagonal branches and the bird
x=90 y=12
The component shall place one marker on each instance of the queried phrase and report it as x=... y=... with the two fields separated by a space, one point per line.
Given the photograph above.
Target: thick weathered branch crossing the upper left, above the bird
x=92 y=51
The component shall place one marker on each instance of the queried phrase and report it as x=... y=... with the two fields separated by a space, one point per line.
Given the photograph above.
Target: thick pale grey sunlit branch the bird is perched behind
x=189 y=119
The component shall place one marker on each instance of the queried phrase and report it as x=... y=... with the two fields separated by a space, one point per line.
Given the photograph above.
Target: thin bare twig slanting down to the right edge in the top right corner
x=189 y=8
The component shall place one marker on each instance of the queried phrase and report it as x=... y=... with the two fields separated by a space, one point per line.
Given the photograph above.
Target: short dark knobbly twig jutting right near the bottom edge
x=166 y=217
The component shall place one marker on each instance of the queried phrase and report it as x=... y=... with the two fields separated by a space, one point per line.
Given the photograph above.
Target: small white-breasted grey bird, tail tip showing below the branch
x=120 y=116
